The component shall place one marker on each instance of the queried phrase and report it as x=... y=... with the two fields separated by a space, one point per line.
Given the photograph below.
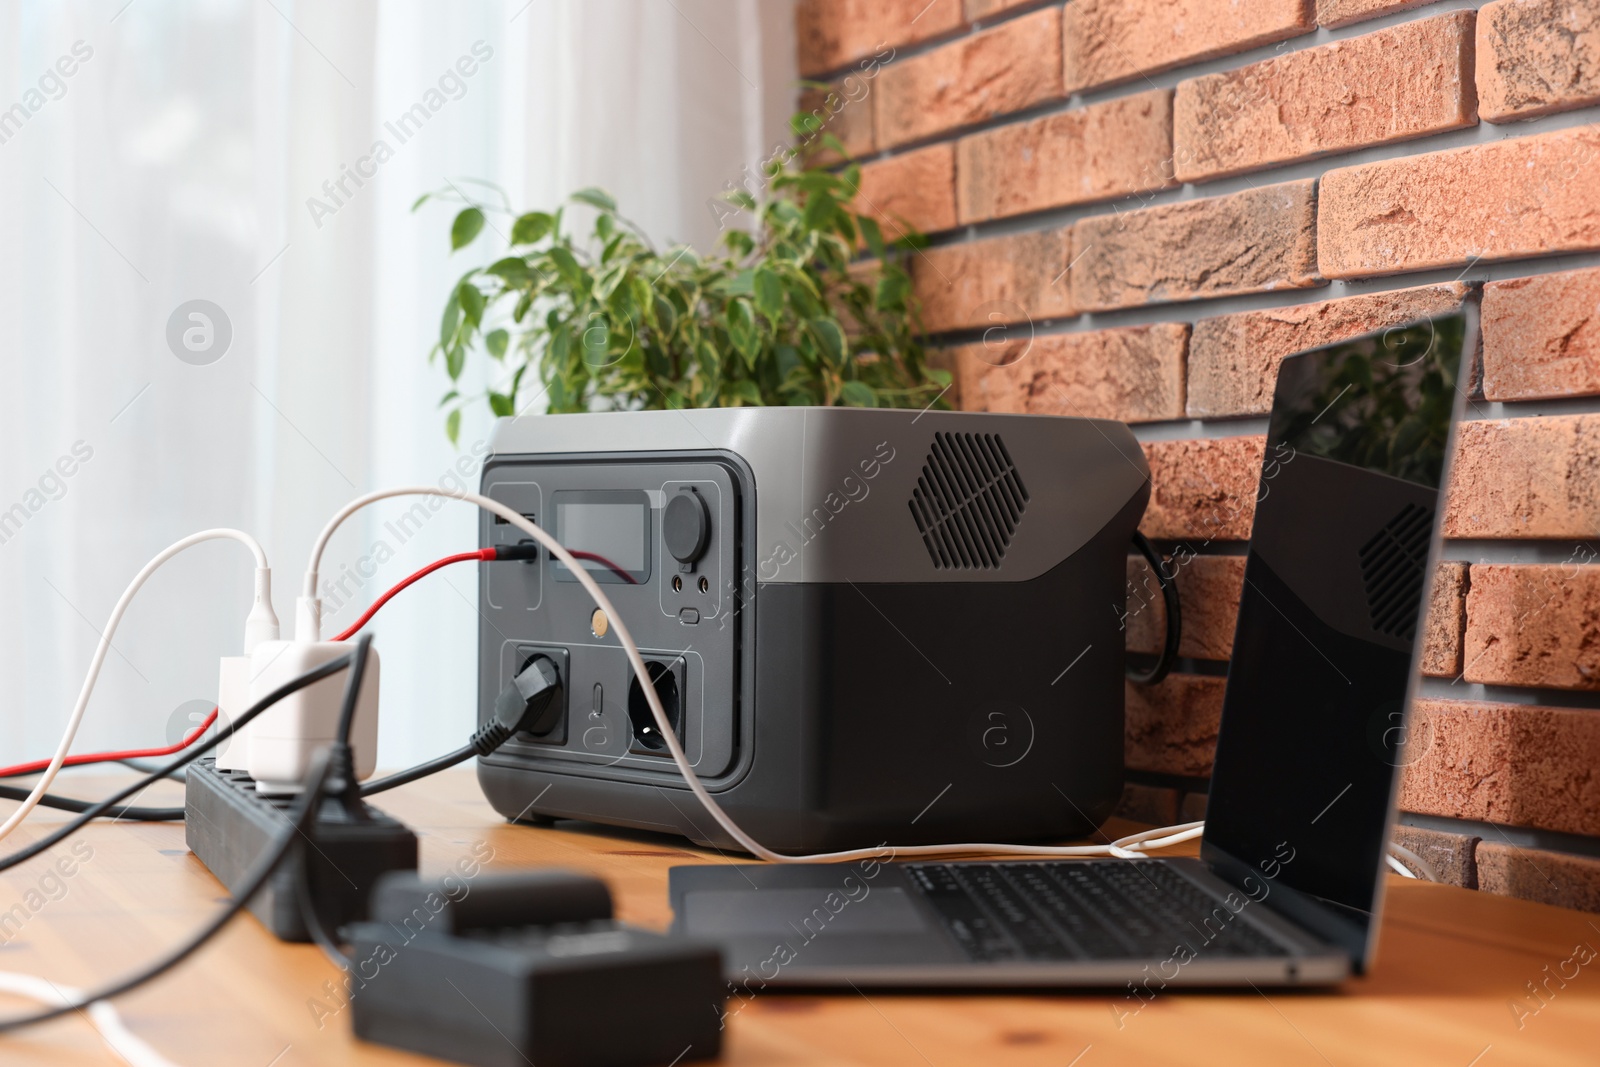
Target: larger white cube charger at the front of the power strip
x=278 y=746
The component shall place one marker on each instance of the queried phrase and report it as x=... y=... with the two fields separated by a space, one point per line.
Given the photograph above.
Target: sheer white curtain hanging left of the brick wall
x=228 y=151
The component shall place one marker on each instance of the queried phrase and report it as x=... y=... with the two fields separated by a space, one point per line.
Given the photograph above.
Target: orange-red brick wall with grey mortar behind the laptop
x=1138 y=207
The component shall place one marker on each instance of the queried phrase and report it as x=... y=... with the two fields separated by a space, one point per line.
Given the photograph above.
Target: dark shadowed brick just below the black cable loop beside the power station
x=1172 y=727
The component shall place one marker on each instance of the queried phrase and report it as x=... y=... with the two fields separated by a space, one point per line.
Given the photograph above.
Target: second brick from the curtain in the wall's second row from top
x=1004 y=70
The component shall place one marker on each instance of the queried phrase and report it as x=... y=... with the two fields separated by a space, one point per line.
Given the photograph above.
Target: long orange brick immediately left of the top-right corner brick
x=1404 y=82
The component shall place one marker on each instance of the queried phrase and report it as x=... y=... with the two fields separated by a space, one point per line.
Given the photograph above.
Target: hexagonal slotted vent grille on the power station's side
x=969 y=502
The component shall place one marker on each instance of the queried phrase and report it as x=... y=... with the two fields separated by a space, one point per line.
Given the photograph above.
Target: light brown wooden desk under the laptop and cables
x=1454 y=962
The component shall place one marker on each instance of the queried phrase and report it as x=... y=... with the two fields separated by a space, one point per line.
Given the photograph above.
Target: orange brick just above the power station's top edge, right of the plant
x=1135 y=375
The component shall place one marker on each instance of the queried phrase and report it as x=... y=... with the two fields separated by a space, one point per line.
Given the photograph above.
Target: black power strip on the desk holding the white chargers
x=228 y=826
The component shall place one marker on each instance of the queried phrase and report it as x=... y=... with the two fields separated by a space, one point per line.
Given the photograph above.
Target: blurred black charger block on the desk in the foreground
x=529 y=967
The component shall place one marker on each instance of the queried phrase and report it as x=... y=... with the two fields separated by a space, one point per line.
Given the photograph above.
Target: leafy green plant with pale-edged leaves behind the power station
x=786 y=313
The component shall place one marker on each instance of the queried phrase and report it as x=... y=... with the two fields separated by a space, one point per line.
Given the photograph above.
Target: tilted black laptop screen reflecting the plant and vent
x=1324 y=655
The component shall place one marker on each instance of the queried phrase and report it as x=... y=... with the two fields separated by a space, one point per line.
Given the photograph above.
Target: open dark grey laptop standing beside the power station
x=1289 y=884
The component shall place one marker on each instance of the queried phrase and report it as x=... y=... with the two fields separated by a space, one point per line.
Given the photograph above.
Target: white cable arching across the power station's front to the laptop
x=310 y=620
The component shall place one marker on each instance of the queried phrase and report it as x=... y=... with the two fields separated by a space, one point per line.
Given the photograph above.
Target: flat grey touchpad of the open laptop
x=807 y=913
